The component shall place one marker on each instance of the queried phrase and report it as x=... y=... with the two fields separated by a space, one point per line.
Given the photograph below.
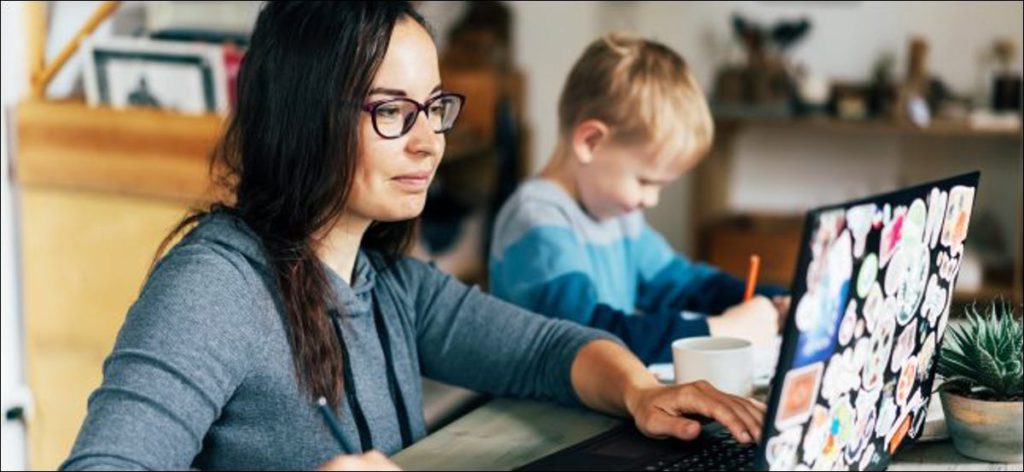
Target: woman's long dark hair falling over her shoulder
x=289 y=155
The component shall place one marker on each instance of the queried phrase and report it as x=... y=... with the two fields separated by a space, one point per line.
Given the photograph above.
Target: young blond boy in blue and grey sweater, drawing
x=574 y=244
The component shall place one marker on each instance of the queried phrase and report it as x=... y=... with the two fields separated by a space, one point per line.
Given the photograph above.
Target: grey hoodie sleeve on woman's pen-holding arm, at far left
x=177 y=363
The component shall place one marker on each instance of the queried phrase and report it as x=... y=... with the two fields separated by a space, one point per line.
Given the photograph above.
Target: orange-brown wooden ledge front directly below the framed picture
x=144 y=153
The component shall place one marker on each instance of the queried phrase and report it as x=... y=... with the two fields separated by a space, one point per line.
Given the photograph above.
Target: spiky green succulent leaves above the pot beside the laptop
x=982 y=359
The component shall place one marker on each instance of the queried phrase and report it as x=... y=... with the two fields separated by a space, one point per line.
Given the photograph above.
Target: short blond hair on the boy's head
x=644 y=91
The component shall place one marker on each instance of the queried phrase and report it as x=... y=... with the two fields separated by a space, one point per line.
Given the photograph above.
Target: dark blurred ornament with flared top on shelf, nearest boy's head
x=763 y=87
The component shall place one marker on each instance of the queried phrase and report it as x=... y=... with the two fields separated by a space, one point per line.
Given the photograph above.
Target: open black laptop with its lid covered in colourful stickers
x=871 y=301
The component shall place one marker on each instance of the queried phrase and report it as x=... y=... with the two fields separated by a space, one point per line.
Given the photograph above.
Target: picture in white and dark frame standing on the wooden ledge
x=176 y=76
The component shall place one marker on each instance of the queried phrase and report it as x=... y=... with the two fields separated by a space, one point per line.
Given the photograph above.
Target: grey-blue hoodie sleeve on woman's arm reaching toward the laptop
x=477 y=341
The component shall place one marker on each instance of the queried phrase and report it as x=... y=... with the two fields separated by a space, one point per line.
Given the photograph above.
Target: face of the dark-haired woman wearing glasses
x=393 y=176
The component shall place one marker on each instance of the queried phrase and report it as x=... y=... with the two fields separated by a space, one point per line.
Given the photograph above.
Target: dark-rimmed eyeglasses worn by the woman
x=394 y=118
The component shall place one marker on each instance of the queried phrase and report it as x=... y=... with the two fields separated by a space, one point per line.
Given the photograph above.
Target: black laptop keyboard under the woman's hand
x=721 y=452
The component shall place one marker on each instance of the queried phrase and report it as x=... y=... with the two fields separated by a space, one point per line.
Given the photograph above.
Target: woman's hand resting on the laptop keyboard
x=661 y=411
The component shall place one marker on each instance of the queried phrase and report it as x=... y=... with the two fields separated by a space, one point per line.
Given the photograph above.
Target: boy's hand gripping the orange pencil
x=756 y=320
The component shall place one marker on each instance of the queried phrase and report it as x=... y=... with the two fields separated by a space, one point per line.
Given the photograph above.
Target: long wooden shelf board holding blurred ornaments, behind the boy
x=877 y=127
